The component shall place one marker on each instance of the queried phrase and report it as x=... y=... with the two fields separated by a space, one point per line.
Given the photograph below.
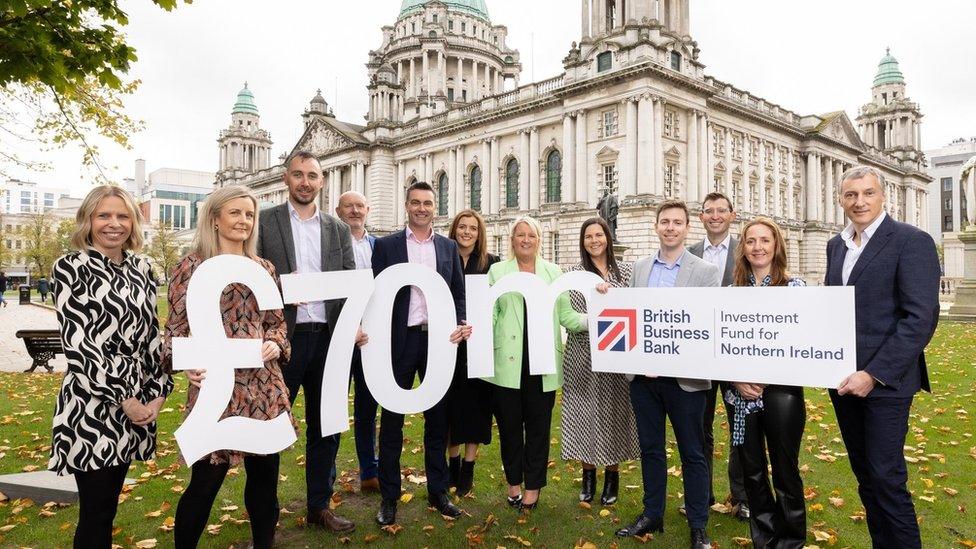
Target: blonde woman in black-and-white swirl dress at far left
x=105 y=415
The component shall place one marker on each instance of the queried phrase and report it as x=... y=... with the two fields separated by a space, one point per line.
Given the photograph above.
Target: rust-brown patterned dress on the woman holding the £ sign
x=259 y=393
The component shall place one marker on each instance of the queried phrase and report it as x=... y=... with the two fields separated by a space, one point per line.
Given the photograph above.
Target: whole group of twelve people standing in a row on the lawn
x=119 y=364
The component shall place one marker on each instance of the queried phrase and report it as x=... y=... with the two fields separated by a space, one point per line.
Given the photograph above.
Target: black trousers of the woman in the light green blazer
x=524 y=419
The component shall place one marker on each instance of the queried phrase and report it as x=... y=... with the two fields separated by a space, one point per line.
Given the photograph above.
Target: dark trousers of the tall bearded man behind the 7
x=308 y=353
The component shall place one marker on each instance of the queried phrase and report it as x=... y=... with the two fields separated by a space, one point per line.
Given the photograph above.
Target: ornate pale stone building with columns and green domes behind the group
x=634 y=113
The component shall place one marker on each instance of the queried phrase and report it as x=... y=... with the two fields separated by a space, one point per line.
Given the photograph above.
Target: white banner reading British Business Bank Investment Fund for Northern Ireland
x=770 y=335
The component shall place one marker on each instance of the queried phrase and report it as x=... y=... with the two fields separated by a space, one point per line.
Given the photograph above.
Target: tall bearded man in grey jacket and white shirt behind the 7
x=297 y=238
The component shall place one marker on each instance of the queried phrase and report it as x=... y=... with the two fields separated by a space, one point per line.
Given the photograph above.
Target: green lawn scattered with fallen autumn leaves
x=940 y=448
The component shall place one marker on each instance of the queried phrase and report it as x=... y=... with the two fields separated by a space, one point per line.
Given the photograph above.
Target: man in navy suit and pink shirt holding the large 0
x=417 y=243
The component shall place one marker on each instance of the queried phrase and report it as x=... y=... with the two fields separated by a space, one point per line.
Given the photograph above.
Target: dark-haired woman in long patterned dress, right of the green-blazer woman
x=597 y=419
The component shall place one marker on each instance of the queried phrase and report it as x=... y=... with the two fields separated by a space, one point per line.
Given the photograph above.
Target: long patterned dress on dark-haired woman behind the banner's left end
x=597 y=419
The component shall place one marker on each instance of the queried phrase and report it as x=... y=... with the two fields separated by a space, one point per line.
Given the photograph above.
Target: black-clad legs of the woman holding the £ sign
x=260 y=500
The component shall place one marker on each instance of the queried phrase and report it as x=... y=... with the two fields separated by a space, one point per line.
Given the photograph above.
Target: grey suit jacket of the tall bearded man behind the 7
x=276 y=244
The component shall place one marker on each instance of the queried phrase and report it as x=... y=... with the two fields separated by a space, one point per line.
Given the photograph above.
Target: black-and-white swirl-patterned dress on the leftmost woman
x=107 y=315
